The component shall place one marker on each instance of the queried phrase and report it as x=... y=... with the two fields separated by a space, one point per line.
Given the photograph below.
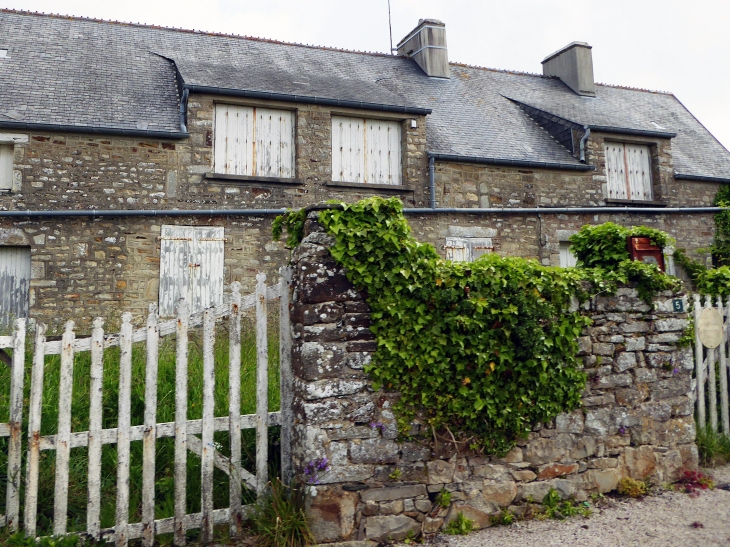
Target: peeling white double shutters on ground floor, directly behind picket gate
x=191 y=267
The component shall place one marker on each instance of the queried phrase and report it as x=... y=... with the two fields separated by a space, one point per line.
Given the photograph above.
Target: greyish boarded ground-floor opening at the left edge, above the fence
x=14 y=283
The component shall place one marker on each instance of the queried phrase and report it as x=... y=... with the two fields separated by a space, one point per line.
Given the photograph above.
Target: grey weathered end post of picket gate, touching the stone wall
x=285 y=373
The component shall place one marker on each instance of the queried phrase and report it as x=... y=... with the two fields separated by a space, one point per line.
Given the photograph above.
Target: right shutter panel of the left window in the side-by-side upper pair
x=274 y=143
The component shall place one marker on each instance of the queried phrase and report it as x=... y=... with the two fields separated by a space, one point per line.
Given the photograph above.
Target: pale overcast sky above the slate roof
x=680 y=46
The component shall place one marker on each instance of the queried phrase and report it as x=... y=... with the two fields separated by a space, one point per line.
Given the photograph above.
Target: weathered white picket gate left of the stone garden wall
x=190 y=435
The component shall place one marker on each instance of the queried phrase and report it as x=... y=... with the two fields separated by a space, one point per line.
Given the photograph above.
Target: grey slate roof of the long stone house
x=85 y=72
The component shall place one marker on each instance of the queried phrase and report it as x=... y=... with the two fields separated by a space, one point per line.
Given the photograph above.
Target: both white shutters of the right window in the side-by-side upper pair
x=366 y=151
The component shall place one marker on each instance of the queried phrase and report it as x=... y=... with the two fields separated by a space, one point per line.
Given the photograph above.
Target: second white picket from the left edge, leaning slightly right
x=34 y=430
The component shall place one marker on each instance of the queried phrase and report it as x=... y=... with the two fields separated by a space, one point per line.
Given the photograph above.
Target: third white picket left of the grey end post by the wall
x=208 y=449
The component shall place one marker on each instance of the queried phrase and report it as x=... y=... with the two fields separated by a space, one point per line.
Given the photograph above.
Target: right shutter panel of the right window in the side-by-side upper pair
x=383 y=152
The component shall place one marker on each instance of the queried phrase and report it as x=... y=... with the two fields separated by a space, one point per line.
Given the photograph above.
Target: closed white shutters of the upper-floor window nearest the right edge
x=628 y=171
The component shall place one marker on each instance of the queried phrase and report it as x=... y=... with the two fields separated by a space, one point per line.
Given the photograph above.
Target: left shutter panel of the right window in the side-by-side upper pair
x=348 y=149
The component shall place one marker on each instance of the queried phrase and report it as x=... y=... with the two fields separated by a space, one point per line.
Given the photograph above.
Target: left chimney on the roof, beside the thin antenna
x=426 y=44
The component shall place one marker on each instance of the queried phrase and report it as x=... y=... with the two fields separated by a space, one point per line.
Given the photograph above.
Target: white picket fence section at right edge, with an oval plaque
x=705 y=385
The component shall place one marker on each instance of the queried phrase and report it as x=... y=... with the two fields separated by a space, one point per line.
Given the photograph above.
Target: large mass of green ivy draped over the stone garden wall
x=483 y=349
